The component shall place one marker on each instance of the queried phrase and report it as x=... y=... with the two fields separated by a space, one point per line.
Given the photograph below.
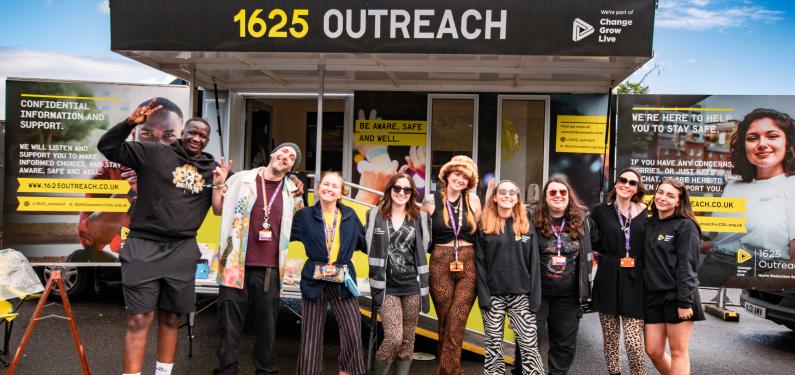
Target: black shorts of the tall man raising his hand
x=159 y=275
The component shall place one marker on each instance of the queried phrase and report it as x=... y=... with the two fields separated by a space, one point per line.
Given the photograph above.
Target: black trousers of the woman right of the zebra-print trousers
x=558 y=322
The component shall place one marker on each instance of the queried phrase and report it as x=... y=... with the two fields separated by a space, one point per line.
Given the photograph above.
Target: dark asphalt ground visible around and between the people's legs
x=751 y=346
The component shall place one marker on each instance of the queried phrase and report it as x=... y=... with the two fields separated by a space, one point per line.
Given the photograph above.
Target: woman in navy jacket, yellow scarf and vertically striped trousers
x=330 y=232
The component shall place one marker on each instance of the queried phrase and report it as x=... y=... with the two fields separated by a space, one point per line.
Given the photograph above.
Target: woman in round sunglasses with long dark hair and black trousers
x=565 y=253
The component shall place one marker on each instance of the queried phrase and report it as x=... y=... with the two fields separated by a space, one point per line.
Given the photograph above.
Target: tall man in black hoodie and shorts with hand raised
x=158 y=261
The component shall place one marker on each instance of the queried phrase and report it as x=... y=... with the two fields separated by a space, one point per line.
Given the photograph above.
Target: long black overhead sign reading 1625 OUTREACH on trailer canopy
x=500 y=27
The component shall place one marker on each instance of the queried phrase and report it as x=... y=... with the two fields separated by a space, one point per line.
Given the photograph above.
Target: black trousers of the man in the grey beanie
x=261 y=295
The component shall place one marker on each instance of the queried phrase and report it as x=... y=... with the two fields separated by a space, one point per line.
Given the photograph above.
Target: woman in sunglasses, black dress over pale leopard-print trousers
x=618 y=236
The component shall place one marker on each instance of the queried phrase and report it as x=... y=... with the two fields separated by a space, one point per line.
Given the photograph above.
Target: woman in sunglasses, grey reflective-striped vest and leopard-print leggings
x=397 y=238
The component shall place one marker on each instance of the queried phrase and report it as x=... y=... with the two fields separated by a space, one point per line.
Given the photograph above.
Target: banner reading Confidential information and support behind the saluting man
x=63 y=201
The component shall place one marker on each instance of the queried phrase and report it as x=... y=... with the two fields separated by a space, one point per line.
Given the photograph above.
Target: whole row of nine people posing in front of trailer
x=532 y=264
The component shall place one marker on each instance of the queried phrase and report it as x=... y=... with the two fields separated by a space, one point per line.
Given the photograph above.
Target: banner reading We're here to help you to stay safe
x=736 y=154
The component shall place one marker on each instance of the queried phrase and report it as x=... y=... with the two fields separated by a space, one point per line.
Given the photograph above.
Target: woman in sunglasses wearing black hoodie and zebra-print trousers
x=508 y=278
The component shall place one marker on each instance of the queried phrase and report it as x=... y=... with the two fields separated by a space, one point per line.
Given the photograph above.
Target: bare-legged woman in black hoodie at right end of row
x=671 y=282
